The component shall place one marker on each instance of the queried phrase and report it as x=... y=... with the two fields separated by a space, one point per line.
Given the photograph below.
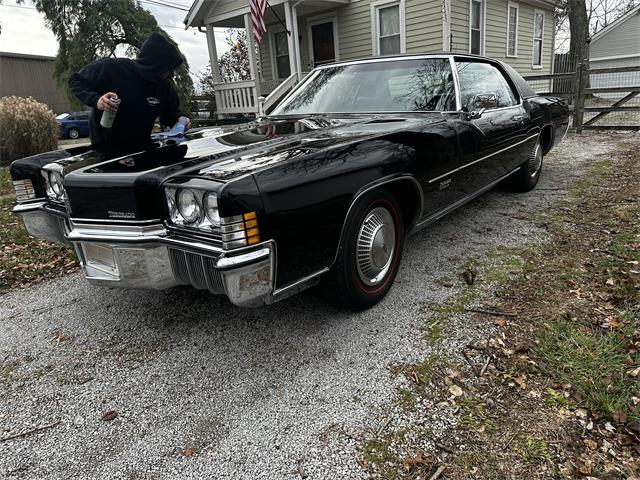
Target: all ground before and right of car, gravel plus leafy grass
x=458 y=373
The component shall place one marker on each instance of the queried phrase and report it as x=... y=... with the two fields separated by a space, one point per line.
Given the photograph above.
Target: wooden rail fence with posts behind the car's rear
x=596 y=93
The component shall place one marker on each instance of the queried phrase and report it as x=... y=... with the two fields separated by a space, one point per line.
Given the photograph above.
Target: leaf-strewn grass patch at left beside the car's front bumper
x=25 y=260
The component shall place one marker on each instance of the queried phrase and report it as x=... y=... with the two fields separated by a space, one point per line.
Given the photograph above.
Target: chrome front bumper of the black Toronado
x=135 y=256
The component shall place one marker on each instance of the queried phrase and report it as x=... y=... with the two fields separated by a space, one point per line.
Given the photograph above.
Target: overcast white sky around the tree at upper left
x=23 y=31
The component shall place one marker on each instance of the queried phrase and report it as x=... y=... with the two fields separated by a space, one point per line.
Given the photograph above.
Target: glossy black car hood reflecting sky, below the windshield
x=227 y=153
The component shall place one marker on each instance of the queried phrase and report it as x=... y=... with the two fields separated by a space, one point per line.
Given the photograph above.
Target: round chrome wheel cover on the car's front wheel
x=375 y=246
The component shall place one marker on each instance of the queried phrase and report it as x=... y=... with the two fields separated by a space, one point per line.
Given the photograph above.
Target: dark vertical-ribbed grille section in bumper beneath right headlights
x=197 y=270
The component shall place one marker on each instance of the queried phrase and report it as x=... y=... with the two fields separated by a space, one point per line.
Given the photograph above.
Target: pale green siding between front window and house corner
x=423 y=19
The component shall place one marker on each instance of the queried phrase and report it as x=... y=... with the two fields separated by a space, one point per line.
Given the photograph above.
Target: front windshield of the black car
x=412 y=85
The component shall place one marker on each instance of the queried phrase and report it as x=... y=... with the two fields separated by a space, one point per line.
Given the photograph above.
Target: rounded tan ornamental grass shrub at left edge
x=27 y=127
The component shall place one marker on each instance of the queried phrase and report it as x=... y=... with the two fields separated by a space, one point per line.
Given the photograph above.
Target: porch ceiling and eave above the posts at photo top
x=218 y=13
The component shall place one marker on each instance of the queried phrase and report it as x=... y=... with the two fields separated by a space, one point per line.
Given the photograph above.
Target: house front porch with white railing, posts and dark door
x=279 y=63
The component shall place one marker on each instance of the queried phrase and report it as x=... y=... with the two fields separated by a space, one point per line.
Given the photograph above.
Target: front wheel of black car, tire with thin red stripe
x=371 y=251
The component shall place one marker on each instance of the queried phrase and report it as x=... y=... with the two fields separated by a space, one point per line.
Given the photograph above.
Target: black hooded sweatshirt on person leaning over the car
x=145 y=96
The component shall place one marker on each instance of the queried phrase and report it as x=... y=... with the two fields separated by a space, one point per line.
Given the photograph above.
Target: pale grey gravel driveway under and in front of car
x=205 y=390
